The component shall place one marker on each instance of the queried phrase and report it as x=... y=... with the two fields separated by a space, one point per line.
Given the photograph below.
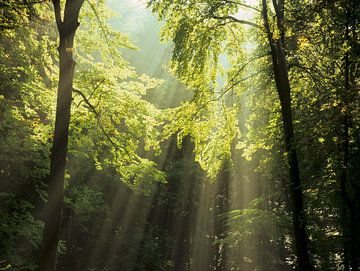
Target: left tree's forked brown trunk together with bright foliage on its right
x=121 y=123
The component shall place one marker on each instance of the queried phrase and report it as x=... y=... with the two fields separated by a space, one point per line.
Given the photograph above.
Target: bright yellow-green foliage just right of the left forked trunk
x=109 y=108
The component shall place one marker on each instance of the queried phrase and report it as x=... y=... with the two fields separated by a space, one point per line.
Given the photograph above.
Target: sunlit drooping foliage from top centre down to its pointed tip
x=209 y=55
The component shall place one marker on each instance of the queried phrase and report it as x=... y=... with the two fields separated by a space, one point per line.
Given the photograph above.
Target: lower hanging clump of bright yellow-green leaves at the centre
x=211 y=129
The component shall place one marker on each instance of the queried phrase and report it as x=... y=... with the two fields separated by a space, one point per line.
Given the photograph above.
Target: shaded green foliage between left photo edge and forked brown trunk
x=26 y=110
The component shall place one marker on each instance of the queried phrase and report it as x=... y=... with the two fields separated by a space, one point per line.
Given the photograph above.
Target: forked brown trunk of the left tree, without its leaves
x=53 y=211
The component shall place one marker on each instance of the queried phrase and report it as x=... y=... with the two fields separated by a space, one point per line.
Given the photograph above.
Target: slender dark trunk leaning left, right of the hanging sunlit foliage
x=284 y=92
